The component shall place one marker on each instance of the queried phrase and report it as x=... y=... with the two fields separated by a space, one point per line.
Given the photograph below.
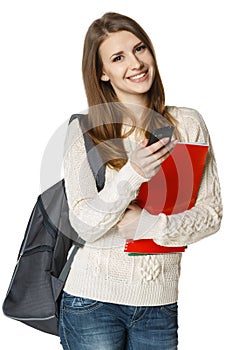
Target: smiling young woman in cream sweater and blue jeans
x=111 y=300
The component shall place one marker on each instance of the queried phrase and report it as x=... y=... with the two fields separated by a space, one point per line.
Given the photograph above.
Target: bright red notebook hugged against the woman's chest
x=172 y=190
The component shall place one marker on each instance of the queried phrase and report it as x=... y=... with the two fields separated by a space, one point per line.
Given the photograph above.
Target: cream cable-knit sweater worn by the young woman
x=101 y=270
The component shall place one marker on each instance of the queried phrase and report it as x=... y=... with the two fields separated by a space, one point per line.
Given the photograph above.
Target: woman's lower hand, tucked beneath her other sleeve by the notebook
x=128 y=225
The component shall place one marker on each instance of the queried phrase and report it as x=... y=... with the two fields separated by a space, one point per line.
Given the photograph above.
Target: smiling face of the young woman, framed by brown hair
x=128 y=65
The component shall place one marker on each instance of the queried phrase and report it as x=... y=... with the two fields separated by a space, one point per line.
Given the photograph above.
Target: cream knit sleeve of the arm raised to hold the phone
x=93 y=213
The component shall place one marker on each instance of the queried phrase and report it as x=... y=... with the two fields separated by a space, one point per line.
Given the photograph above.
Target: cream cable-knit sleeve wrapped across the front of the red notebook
x=200 y=221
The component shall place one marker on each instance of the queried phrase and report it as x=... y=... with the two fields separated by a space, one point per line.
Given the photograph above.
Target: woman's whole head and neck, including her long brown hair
x=123 y=69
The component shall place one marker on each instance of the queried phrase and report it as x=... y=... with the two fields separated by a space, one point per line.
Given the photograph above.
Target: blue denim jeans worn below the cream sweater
x=87 y=324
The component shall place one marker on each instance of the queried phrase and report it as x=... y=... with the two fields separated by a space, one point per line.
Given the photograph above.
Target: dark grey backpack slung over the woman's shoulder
x=33 y=296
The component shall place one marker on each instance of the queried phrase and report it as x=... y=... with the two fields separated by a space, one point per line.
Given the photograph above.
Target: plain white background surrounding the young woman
x=41 y=86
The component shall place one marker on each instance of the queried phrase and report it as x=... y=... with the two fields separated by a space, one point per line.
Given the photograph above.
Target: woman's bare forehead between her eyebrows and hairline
x=118 y=41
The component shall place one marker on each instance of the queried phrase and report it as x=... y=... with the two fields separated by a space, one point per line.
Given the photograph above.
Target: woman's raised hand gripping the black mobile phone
x=146 y=161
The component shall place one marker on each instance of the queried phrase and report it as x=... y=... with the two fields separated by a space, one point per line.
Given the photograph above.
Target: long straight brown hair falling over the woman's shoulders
x=105 y=111
